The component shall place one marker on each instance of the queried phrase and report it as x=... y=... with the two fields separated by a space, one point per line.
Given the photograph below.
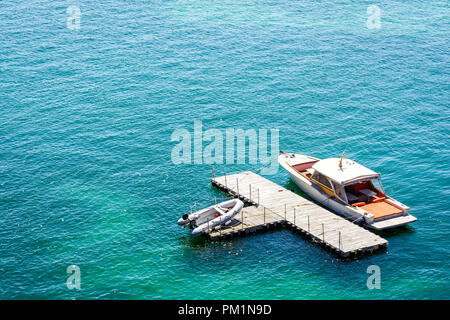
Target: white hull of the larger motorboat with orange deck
x=352 y=213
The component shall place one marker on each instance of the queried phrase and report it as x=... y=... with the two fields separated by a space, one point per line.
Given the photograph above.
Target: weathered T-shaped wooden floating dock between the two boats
x=273 y=205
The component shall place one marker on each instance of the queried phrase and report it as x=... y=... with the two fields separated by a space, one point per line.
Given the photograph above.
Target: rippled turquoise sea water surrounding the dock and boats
x=86 y=116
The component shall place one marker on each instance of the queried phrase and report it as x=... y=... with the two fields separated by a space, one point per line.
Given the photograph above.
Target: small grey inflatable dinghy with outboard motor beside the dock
x=211 y=218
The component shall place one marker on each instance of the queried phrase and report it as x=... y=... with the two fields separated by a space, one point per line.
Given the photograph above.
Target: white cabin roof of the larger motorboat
x=349 y=173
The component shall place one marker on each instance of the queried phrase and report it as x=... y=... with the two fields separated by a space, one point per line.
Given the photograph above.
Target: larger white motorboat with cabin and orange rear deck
x=347 y=188
